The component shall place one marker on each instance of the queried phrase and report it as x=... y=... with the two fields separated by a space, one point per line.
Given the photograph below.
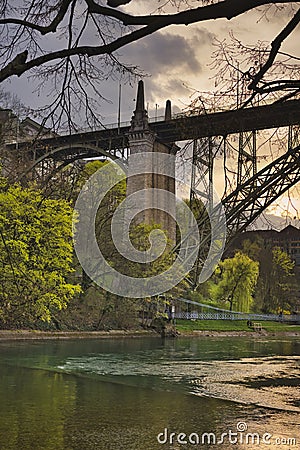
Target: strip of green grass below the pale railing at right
x=186 y=326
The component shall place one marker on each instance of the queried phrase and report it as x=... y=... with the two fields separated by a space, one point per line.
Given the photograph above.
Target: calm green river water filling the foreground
x=132 y=394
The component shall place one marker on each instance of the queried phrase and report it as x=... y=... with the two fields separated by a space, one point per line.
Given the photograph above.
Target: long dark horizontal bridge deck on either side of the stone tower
x=183 y=128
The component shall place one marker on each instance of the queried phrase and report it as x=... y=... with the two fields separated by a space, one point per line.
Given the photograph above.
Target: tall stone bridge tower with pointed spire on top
x=144 y=142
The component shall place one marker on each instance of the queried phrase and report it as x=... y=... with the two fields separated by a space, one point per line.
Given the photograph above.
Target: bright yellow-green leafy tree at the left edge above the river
x=35 y=255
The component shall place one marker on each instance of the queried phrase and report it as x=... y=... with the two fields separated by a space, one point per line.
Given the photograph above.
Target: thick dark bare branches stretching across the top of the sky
x=224 y=9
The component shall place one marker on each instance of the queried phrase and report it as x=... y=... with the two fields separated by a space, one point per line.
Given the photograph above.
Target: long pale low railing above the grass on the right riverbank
x=195 y=315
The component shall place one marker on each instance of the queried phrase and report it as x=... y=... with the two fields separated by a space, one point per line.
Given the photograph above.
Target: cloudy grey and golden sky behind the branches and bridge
x=177 y=61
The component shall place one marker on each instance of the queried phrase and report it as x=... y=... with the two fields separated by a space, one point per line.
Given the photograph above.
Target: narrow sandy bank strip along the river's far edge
x=46 y=335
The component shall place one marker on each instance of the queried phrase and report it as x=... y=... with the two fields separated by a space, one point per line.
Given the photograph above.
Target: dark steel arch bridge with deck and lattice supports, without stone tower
x=255 y=191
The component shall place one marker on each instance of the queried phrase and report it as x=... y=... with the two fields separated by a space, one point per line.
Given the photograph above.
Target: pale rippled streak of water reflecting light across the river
x=272 y=382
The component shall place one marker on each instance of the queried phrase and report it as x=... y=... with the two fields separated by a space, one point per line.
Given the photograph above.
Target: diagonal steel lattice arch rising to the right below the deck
x=247 y=202
